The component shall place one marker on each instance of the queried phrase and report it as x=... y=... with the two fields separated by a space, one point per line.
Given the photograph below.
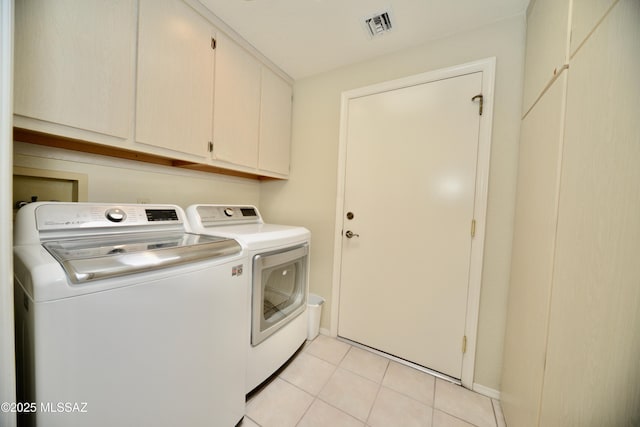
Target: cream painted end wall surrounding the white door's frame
x=308 y=198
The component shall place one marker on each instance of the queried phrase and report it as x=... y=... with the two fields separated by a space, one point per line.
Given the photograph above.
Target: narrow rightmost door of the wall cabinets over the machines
x=275 y=124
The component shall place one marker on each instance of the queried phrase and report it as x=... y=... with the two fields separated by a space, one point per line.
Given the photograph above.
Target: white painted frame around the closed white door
x=487 y=67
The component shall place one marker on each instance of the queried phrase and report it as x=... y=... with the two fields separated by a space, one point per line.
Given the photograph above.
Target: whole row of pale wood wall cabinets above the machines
x=148 y=76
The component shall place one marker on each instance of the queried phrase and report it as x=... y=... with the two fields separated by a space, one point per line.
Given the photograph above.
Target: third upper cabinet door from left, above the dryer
x=236 y=112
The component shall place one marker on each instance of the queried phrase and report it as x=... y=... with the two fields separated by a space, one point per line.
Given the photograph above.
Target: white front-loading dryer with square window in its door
x=278 y=260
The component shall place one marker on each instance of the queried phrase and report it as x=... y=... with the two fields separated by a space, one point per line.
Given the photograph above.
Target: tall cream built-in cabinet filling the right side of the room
x=572 y=341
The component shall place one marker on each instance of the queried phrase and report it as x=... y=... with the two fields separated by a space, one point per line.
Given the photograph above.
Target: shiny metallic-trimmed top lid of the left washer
x=90 y=259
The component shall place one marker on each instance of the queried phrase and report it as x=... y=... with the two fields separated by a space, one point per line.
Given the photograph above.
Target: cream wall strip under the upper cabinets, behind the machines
x=124 y=181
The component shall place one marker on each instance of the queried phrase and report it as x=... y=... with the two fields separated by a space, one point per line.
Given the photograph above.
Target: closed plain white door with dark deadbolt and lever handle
x=410 y=185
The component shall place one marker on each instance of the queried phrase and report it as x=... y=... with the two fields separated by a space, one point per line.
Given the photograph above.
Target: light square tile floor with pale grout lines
x=332 y=383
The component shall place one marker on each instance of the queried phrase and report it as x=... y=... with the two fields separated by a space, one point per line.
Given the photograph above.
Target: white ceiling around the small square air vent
x=306 y=37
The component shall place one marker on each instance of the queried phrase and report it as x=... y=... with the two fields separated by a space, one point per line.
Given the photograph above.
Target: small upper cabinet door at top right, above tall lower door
x=547 y=46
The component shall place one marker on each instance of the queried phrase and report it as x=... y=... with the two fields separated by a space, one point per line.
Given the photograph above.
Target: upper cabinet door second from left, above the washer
x=175 y=77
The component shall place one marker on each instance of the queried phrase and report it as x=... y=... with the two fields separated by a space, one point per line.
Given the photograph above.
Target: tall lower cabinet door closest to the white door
x=532 y=257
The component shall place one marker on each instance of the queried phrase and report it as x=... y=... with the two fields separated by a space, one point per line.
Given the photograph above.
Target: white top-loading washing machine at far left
x=126 y=318
